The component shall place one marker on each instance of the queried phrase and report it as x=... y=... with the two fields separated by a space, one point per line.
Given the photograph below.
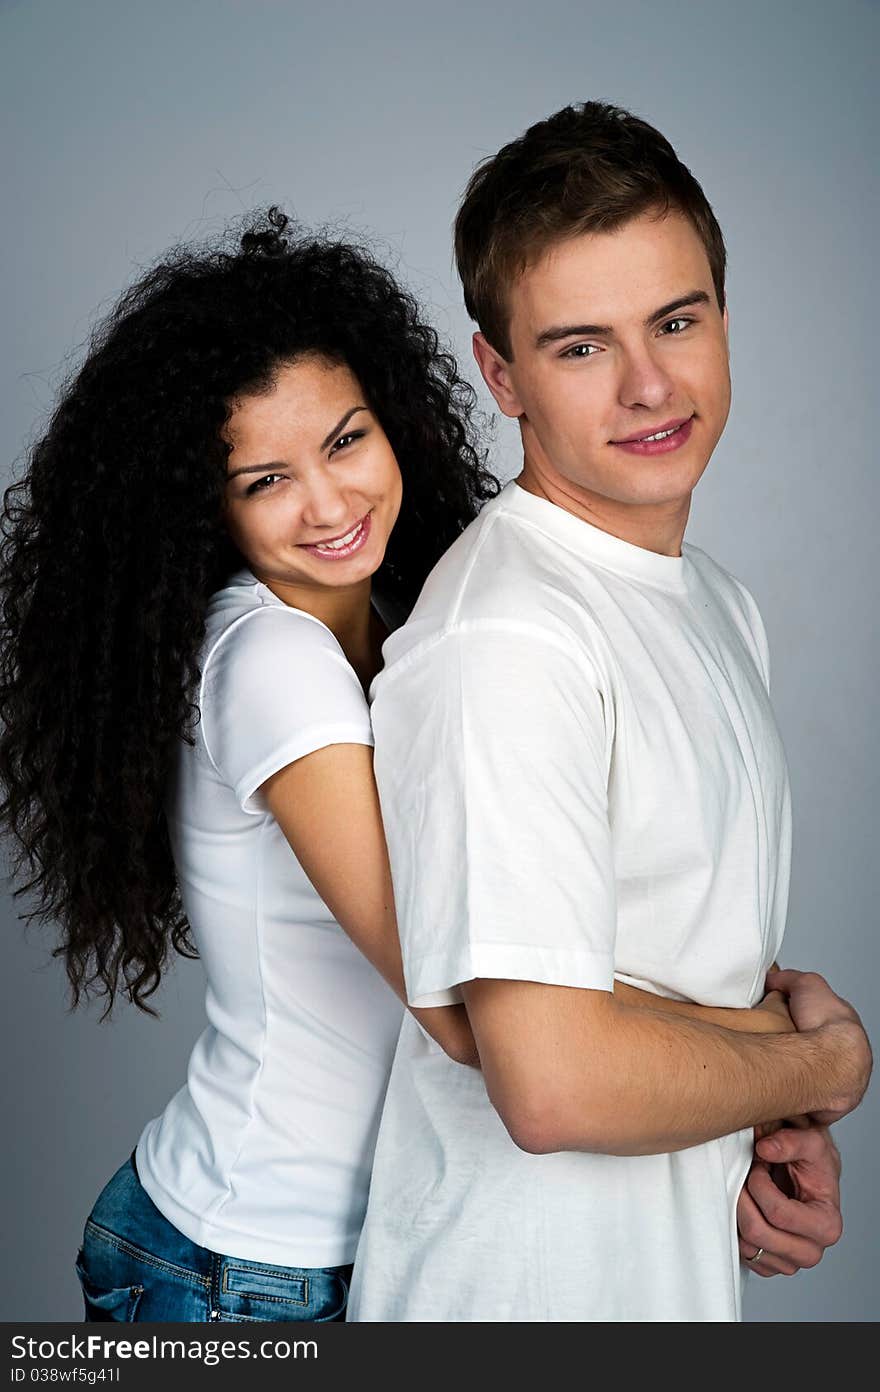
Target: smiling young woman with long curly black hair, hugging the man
x=191 y=624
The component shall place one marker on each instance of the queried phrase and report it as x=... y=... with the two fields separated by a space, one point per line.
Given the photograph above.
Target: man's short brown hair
x=590 y=169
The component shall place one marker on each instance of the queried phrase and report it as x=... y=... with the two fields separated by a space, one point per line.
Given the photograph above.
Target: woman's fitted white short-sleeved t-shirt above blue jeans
x=265 y=1153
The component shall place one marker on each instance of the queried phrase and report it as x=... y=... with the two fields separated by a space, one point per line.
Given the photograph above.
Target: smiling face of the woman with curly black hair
x=313 y=485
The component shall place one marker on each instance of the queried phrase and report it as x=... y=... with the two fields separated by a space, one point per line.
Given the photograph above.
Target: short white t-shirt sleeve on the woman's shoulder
x=275 y=688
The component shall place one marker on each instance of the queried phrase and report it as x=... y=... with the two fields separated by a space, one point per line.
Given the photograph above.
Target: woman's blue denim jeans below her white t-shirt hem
x=136 y=1266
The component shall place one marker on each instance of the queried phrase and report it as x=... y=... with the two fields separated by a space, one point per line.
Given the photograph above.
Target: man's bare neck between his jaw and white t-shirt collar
x=654 y=527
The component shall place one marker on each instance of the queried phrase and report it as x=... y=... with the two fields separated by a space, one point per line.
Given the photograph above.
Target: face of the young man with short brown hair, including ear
x=616 y=338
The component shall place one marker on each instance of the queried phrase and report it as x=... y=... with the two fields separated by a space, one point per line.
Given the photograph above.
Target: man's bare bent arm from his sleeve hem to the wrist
x=581 y=1071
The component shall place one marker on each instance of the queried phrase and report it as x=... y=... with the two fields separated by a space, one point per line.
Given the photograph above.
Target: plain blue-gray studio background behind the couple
x=130 y=127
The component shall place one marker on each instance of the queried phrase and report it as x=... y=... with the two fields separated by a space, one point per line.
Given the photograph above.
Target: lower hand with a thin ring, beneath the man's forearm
x=790 y=1205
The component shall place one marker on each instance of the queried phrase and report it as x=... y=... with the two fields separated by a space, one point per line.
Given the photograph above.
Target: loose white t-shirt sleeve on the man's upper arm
x=492 y=761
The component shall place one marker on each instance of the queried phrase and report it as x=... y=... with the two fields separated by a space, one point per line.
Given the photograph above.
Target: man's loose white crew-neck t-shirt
x=581 y=779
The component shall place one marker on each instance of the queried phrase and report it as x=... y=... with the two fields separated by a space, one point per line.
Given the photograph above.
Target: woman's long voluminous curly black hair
x=113 y=542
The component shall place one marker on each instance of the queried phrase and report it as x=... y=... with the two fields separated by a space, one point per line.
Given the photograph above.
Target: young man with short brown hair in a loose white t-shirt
x=586 y=794
